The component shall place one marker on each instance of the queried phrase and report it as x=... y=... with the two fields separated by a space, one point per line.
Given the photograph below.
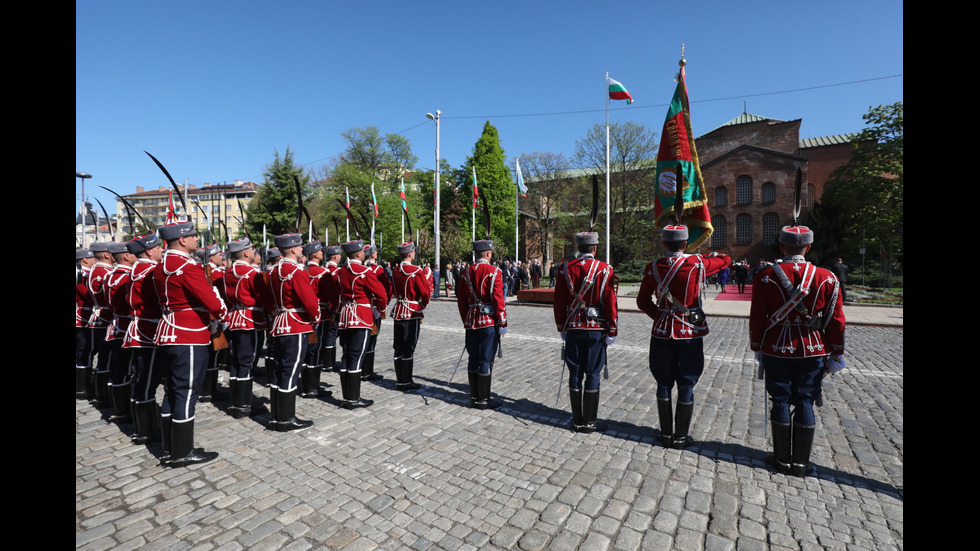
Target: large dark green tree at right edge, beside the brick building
x=864 y=199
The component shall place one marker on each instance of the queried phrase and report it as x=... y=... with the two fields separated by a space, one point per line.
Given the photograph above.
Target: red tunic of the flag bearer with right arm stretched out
x=684 y=285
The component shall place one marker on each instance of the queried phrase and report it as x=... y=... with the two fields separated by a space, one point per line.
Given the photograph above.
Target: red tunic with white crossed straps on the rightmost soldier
x=793 y=336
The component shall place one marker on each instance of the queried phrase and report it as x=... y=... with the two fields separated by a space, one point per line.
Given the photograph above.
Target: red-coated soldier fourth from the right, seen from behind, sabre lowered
x=484 y=314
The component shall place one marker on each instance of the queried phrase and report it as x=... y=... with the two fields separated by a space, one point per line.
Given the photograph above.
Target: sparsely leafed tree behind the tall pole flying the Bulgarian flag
x=632 y=168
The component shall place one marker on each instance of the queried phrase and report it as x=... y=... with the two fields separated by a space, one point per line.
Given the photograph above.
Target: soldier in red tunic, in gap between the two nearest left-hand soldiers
x=249 y=298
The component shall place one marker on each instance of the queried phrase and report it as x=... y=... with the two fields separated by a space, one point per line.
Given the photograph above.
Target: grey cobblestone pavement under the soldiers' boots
x=424 y=471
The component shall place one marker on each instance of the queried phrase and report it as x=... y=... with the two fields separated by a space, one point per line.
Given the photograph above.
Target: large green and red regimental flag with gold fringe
x=678 y=154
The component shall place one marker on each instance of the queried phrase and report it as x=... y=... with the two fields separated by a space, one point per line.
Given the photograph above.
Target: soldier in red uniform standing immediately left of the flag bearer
x=586 y=315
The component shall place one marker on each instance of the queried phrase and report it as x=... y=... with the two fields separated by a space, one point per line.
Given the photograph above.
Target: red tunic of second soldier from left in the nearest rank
x=297 y=308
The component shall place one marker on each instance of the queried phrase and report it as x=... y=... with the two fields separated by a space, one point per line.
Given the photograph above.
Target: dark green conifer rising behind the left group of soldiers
x=275 y=204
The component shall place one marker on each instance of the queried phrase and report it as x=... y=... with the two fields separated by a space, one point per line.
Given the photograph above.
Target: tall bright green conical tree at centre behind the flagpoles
x=496 y=186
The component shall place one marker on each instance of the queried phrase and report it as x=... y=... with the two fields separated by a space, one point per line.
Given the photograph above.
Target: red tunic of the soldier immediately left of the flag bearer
x=570 y=312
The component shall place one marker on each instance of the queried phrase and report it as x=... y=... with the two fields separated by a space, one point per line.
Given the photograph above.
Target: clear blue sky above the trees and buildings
x=213 y=88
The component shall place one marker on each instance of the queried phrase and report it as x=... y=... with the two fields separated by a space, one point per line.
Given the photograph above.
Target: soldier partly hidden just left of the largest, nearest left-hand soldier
x=145 y=307
